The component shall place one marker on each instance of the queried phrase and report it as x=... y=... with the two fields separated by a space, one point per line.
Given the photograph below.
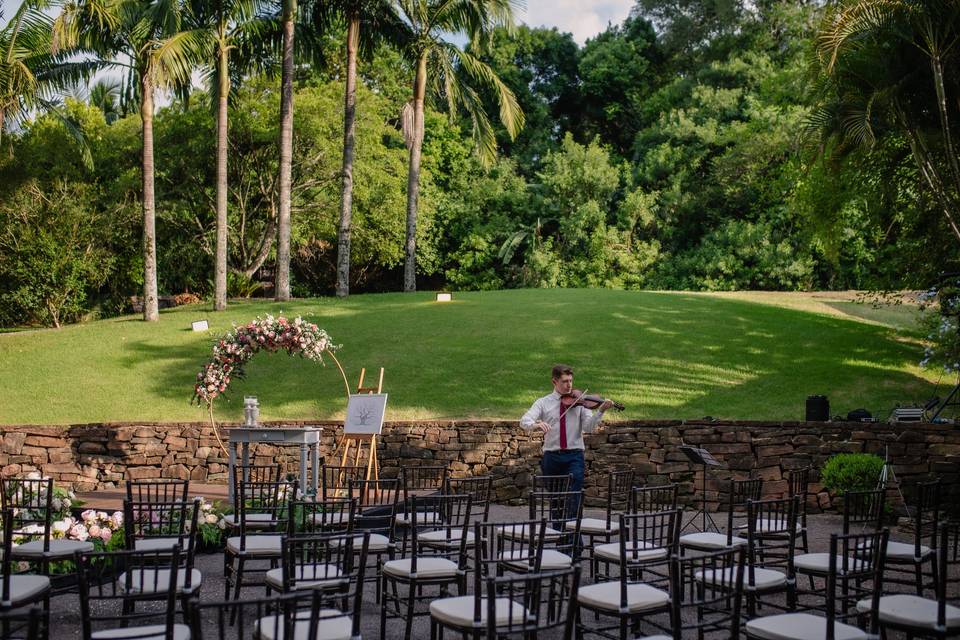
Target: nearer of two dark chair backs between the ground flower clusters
x=159 y=526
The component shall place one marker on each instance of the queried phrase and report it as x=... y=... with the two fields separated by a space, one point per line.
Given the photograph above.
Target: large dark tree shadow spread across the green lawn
x=664 y=355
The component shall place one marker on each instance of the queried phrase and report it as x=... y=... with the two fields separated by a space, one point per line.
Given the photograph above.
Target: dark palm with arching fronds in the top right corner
x=885 y=63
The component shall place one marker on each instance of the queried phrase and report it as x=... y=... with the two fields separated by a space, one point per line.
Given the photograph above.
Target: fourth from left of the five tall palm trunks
x=349 y=135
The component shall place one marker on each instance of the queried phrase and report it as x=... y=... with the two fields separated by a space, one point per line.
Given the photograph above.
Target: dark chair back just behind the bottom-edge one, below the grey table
x=332 y=562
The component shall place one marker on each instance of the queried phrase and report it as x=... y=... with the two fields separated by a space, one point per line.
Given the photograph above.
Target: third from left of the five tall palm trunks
x=282 y=292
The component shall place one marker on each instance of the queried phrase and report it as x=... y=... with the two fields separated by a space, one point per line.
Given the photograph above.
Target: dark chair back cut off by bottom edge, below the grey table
x=300 y=614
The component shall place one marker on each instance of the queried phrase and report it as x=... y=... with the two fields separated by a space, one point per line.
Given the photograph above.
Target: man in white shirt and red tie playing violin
x=563 y=423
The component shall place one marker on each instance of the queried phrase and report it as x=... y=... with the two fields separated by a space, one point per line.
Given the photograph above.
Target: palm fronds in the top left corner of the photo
x=31 y=74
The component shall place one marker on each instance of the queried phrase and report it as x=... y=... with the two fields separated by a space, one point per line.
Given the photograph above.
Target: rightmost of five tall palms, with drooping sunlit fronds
x=452 y=73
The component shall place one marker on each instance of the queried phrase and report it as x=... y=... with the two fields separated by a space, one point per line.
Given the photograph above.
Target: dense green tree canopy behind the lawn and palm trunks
x=695 y=145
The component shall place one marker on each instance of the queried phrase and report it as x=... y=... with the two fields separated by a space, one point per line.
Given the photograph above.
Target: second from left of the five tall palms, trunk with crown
x=228 y=25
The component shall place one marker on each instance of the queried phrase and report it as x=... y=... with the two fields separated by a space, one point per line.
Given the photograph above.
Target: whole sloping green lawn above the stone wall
x=487 y=354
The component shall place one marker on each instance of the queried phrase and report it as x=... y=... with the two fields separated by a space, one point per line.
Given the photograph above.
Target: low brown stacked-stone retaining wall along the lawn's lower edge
x=99 y=456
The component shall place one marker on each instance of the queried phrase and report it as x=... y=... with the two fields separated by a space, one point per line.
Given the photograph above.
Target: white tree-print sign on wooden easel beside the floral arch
x=364 y=422
